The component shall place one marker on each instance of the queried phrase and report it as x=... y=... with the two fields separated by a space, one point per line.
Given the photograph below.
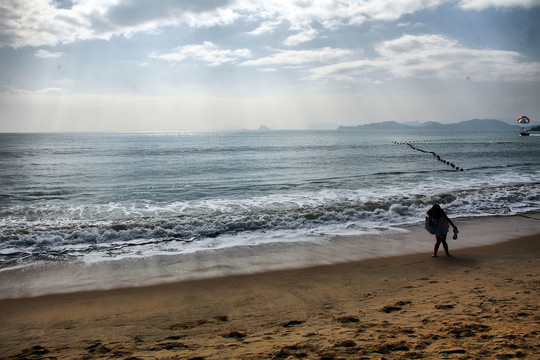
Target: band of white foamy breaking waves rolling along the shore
x=145 y=228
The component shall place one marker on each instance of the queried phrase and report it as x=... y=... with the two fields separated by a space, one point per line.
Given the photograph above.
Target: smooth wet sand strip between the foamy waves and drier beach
x=70 y=277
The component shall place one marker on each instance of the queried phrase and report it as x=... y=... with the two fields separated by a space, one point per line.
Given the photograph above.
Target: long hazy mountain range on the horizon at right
x=468 y=125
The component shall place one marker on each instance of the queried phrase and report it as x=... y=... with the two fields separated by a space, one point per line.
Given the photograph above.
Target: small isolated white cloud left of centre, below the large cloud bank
x=207 y=52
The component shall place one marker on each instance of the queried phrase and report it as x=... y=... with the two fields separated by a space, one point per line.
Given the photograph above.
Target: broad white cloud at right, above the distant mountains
x=434 y=56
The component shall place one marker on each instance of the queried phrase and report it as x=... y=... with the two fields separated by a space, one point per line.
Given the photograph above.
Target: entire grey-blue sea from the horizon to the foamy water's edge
x=90 y=198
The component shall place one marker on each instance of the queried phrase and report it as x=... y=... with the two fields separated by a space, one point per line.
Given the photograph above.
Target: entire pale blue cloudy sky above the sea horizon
x=205 y=65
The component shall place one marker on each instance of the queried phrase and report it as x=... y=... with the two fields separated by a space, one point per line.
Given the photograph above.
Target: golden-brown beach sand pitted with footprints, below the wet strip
x=481 y=304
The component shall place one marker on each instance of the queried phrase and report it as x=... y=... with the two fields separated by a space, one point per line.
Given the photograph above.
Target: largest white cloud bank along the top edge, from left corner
x=41 y=22
